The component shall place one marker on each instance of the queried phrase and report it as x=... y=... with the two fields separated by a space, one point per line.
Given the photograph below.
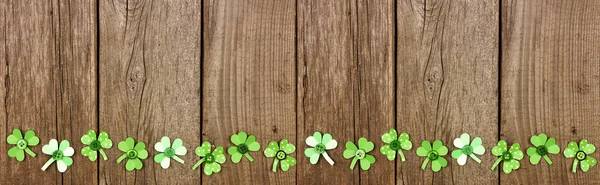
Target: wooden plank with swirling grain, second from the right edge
x=447 y=83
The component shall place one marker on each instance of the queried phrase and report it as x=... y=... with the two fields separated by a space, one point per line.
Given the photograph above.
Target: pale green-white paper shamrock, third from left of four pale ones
x=321 y=144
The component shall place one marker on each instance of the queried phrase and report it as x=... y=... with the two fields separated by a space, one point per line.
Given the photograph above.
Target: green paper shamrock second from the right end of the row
x=543 y=147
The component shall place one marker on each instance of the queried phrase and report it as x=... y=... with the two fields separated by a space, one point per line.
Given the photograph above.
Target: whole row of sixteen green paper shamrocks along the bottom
x=319 y=144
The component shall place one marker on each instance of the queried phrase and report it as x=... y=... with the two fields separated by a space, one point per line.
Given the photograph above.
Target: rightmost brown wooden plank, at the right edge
x=550 y=83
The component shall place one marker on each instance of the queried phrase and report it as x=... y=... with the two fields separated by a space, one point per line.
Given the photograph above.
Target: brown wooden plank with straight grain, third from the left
x=249 y=83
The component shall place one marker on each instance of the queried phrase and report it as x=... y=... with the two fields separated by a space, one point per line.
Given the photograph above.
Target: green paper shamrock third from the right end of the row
x=510 y=156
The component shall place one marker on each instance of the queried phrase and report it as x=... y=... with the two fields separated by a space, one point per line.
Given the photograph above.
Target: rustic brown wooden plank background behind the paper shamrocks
x=203 y=70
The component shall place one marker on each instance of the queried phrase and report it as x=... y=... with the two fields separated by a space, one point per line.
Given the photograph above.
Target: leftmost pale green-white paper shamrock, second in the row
x=61 y=154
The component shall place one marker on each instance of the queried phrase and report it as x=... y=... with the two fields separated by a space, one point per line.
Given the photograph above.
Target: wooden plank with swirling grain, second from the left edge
x=150 y=84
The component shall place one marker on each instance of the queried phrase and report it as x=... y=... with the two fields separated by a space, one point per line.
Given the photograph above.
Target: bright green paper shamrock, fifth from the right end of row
x=434 y=153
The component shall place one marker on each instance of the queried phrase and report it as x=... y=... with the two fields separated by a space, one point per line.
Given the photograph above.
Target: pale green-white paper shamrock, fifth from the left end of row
x=169 y=151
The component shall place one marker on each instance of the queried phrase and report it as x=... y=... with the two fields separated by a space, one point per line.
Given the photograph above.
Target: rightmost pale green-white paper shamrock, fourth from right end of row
x=467 y=149
